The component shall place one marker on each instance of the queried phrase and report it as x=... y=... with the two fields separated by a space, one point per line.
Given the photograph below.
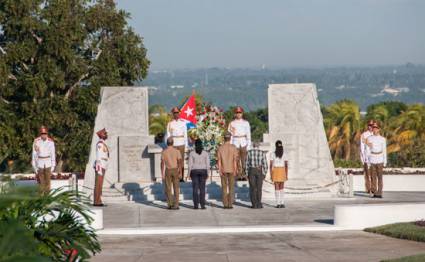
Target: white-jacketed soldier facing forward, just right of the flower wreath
x=241 y=138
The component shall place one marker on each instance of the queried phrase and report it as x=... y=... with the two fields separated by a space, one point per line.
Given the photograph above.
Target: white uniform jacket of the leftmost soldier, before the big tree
x=43 y=154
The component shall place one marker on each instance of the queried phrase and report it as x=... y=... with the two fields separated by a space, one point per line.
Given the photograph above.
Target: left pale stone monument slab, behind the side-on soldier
x=123 y=111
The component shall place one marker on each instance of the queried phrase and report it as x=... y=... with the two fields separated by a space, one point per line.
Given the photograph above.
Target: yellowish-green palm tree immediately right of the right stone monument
x=343 y=127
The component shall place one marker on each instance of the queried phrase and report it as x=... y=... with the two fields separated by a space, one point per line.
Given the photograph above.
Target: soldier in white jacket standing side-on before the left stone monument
x=101 y=164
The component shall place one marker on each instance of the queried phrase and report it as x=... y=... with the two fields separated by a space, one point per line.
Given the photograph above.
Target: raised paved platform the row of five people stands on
x=155 y=214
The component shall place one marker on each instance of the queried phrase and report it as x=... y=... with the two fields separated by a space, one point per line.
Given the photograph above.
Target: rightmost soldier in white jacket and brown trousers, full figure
x=377 y=159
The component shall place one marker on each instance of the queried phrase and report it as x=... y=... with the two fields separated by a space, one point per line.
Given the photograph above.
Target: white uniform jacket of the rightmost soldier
x=376 y=150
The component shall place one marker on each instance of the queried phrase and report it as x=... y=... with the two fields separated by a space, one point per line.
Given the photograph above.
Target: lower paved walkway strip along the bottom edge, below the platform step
x=323 y=246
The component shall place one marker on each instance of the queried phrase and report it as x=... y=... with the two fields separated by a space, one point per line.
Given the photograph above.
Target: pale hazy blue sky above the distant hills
x=279 y=33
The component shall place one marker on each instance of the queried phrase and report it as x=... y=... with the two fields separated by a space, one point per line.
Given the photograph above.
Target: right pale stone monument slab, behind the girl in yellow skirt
x=296 y=119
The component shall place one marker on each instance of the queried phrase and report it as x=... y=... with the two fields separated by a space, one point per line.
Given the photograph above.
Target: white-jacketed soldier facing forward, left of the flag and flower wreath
x=177 y=129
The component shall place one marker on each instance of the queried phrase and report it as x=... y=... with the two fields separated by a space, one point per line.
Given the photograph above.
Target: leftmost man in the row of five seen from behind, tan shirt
x=171 y=171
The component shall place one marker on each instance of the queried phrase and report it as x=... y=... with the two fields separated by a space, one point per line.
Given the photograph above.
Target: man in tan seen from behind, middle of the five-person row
x=227 y=158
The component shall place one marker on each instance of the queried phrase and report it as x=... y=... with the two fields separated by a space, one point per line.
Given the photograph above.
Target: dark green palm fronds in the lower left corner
x=37 y=227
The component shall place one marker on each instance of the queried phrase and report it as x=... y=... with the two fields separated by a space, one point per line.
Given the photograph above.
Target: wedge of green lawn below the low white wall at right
x=408 y=231
